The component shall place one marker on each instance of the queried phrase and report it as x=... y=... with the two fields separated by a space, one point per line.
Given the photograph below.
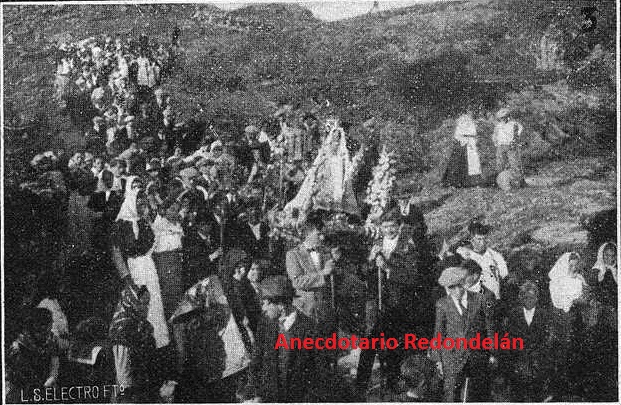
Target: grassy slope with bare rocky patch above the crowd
x=366 y=66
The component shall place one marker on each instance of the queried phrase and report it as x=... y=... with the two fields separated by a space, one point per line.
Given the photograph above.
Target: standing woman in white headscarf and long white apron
x=132 y=242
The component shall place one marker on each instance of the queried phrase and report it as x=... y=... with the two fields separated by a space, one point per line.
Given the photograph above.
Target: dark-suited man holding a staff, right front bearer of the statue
x=404 y=297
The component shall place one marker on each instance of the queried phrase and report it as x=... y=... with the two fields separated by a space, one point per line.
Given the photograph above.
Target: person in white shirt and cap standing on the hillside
x=506 y=139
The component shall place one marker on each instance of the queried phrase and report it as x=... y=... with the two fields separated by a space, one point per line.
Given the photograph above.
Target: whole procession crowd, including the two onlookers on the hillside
x=129 y=227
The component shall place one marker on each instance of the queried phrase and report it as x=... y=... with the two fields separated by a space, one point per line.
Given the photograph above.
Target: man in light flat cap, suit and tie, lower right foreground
x=462 y=314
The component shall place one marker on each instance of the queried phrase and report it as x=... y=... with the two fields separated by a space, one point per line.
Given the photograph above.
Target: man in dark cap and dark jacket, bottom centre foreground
x=284 y=375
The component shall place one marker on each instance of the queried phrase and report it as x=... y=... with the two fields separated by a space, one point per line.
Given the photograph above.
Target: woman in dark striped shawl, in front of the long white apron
x=133 y=345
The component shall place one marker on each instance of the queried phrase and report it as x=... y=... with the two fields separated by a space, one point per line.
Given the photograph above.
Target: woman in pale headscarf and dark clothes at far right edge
x=605 y=269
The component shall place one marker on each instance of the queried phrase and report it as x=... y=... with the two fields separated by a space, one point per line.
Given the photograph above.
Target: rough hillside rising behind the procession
x=413 y=69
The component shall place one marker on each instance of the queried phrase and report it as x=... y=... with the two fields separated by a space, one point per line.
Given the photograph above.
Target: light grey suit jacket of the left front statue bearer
x=312 y=288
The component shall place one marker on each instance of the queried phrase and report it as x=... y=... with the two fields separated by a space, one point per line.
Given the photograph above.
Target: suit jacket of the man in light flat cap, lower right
x=450 y=323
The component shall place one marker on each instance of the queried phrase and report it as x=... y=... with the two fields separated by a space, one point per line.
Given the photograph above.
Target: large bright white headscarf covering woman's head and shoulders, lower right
x=564 y=287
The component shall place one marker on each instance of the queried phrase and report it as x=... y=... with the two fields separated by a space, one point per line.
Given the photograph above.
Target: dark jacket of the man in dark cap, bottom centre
x=287 y=375
